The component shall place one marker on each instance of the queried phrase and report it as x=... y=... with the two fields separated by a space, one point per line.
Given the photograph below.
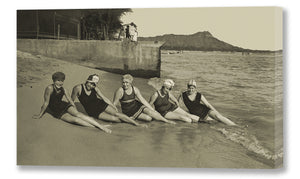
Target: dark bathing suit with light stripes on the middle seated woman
x=132 y=109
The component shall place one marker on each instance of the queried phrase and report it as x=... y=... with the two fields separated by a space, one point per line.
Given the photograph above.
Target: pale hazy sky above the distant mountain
x=247 y=27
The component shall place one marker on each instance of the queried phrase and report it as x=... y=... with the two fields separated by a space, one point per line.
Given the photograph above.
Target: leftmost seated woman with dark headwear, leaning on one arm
x=64 y=110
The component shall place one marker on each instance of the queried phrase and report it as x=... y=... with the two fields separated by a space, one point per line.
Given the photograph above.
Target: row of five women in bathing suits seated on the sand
x=163 y=106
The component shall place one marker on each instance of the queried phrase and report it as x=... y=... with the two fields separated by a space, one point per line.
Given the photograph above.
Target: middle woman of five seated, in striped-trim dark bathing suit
x=133 y=104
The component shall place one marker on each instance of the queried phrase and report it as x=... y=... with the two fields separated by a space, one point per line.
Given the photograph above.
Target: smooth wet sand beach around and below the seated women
x=50 y=141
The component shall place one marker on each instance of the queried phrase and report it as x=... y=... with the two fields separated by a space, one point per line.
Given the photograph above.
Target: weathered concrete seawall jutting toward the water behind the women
x=139 y=59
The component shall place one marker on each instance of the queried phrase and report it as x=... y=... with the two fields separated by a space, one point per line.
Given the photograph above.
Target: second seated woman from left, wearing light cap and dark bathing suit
x=96 y=104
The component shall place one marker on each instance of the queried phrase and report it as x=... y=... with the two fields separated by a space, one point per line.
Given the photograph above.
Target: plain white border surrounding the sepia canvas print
x=8 y=96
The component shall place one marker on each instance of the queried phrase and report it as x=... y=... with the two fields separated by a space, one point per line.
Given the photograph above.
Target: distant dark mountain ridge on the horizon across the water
x=202 y=41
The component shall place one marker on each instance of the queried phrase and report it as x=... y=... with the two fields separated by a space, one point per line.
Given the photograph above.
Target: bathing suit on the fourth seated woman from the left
x=163 y=105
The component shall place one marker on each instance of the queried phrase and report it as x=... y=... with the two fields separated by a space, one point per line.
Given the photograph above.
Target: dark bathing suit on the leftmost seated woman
x=56 y=105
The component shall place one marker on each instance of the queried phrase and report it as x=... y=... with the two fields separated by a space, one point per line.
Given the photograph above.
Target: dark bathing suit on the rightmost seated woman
x=195 y=107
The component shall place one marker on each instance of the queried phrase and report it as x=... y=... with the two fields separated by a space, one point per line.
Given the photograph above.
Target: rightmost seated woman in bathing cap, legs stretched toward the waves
x=193 y=101
